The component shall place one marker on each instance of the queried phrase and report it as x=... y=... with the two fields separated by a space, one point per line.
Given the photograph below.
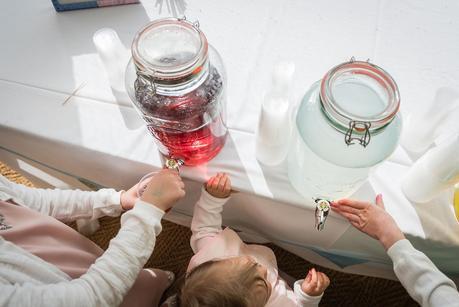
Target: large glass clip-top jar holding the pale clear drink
x=346 y=123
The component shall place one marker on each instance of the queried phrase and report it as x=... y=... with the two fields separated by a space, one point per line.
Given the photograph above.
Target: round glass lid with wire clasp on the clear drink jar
x=359 y=98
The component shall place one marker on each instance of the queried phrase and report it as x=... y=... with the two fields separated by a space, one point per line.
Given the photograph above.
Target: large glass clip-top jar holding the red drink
x=176 y=81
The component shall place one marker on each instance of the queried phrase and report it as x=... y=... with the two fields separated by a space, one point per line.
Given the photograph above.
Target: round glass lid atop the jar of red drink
x=169 y=49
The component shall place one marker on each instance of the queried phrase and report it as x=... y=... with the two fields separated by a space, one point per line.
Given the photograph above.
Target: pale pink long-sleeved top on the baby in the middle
x=207 y=236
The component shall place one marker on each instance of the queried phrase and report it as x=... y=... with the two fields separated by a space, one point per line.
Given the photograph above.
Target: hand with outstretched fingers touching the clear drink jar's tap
x=370 y=219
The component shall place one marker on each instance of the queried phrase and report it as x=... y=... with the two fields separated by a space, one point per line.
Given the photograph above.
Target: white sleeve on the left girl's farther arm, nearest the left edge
x=67 y=205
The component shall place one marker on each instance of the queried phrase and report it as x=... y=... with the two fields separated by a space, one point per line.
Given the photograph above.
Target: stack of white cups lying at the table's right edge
x=434 y=172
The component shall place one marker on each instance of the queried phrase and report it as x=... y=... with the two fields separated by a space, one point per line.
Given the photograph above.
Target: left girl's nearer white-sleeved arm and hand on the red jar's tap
x=109 y=279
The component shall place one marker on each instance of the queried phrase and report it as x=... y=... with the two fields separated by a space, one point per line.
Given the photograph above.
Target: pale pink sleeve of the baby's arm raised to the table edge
x=207 y=220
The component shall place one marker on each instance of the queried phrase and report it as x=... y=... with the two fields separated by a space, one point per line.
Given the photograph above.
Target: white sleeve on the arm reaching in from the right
x=421 y=278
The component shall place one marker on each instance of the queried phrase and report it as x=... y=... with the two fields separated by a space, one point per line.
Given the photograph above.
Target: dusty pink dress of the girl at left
x=60 y=245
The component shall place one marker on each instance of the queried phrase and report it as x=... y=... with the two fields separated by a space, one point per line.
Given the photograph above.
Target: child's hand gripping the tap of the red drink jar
x=164 y=189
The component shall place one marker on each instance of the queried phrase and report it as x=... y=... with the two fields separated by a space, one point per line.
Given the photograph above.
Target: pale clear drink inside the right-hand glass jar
x=320 y=163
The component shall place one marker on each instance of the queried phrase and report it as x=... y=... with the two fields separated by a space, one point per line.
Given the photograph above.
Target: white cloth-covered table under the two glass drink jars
x=97 y=136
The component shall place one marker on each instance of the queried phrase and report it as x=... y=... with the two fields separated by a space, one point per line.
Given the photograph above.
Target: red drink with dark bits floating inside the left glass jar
x=192 y=126
